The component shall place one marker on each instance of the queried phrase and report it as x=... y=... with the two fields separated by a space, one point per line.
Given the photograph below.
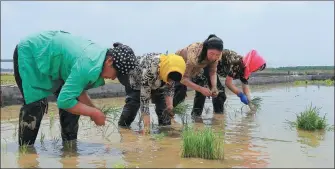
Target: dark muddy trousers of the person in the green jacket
x=31 y=115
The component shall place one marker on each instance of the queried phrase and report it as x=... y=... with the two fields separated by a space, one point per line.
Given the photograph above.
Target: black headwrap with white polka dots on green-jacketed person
x=124 y=59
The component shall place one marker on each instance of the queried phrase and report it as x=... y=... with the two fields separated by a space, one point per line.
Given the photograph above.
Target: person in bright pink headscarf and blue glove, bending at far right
x=231 y=66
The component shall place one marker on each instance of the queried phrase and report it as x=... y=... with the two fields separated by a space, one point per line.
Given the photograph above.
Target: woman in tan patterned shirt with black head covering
x=197 y=56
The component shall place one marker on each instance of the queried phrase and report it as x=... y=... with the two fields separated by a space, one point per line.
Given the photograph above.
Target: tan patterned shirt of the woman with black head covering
x=191 y=55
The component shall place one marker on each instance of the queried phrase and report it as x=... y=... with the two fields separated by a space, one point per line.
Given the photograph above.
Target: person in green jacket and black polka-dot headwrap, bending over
x=59 y=63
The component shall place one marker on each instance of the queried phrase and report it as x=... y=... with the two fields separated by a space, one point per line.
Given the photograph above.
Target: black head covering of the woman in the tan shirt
x=218 y=45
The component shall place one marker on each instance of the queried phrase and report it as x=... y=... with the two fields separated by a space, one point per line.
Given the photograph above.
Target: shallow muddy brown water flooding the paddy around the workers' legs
x=260 y=140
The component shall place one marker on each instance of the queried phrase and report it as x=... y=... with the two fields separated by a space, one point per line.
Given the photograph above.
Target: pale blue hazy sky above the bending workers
x=285 y=33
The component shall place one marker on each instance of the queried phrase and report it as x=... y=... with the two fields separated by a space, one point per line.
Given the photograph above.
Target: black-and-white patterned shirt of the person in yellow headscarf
x=145 y=77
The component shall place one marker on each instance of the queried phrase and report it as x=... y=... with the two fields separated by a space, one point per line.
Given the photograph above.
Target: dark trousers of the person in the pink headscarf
x=199 y=99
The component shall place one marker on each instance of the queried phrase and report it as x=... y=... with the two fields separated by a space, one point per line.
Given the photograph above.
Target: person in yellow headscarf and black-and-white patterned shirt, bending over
x=153 y=79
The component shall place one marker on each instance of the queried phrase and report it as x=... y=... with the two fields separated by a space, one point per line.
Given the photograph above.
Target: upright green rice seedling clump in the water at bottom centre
x=202 y=144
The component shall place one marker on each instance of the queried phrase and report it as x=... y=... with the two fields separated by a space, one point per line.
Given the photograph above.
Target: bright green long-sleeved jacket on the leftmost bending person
x=48 y=58
